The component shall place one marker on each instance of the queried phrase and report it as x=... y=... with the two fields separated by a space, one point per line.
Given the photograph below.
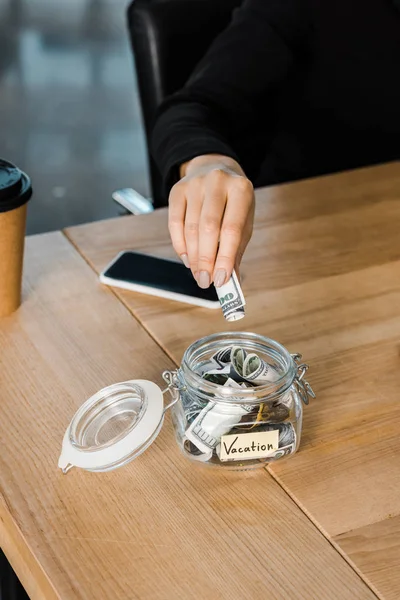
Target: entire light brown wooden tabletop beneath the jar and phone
x=321 y=276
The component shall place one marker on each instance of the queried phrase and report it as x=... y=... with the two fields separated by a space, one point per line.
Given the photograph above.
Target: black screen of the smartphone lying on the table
x=158 y=273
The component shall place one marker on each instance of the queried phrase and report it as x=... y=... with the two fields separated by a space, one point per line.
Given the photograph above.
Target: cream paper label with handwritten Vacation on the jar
x=248 y=445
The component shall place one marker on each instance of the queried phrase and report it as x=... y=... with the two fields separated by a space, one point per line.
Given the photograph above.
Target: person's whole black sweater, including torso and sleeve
x=291 y=89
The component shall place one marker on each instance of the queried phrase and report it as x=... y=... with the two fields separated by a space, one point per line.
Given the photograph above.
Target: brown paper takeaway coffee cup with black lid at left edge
x=15 y=191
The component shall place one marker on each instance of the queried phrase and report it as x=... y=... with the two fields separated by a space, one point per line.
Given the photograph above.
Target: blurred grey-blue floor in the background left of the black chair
x=69 y=108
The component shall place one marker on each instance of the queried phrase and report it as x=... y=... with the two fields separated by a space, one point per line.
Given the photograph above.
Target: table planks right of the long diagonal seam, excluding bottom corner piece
x=322 y=276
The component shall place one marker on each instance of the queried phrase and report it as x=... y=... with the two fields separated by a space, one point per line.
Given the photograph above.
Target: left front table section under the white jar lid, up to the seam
x=159 y=528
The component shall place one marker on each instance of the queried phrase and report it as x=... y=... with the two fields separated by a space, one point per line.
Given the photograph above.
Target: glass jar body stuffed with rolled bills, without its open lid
x=239 y=427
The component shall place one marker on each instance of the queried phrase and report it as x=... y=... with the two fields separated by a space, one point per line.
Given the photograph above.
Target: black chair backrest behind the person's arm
x=169 y=37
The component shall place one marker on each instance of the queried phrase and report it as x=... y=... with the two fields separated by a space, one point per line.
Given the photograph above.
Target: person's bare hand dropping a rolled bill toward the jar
x=211 y=212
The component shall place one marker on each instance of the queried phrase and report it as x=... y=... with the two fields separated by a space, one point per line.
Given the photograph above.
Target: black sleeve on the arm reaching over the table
x=247 y=63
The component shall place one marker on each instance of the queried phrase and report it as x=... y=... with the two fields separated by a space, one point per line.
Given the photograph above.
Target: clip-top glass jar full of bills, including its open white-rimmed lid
x=237 y=402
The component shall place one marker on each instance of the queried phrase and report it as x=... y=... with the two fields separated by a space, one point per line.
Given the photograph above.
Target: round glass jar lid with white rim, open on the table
x=113 y=427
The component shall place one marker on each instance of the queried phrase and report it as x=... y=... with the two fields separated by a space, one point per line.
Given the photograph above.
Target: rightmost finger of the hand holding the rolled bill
x=236 y=229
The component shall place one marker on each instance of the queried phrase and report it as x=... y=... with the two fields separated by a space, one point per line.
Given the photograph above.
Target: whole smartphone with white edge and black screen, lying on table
x=157 y=277
